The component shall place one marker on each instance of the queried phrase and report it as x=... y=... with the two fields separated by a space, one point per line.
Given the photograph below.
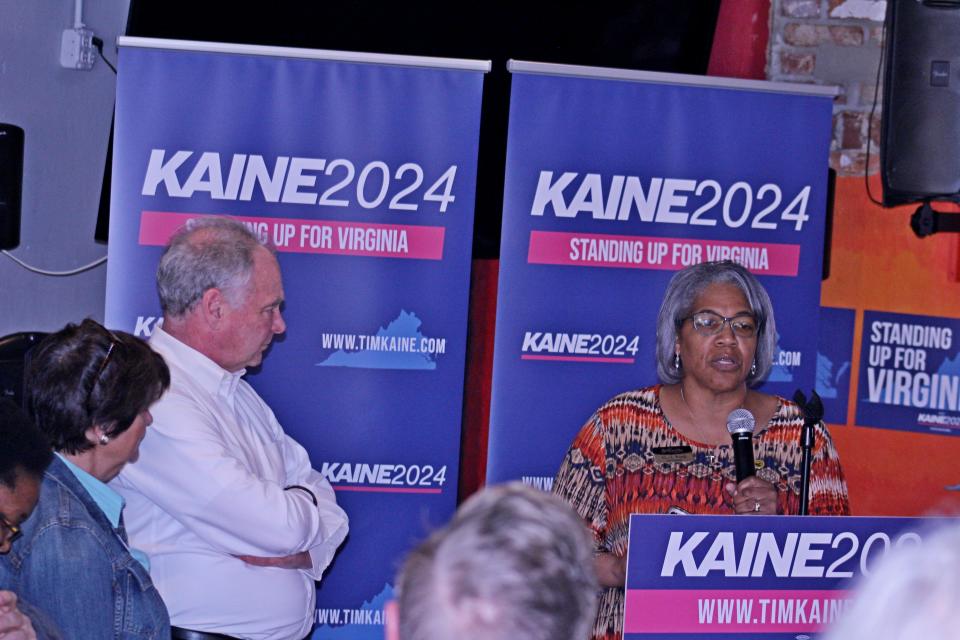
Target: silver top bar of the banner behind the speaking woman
x=604 y=73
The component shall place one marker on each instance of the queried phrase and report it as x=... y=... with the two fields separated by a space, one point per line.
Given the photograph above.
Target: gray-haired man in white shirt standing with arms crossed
x=236 y=523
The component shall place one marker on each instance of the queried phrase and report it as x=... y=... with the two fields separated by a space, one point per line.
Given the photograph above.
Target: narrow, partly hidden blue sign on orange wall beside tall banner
x=834 y=359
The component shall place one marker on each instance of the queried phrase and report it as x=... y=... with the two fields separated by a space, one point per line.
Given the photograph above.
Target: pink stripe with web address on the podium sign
x=731 y=611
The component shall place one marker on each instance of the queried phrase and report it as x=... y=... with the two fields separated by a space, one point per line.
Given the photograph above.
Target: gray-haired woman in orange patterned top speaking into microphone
x=667 y=448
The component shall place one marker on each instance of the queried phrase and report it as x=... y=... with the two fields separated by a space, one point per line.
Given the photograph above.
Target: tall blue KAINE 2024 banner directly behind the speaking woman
x=613 y=184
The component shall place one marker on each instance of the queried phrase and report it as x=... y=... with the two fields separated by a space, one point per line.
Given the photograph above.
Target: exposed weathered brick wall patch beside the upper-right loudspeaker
x=834 y=42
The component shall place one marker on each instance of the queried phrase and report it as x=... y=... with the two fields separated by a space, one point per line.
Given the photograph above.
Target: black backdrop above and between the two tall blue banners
x=653 y=35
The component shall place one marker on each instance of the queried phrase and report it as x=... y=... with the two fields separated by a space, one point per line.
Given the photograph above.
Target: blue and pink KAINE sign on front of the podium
x=757 y=577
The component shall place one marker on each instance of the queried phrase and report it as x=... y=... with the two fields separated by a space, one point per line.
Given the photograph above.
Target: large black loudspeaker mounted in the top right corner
x=920 y=132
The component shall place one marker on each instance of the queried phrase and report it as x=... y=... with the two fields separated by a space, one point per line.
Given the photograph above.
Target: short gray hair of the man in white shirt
x=205 y=253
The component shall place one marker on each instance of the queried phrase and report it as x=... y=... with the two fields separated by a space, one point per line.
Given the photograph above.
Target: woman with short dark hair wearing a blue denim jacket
x=89 y=390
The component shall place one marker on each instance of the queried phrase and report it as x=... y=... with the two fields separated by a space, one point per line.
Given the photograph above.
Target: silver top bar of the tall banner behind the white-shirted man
x=313 y=54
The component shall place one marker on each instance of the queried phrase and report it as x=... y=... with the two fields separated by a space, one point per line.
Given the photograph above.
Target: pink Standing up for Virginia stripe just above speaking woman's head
x=642 y=252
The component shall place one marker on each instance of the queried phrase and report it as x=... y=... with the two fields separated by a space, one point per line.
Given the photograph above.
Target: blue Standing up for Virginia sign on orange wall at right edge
x=909 y=373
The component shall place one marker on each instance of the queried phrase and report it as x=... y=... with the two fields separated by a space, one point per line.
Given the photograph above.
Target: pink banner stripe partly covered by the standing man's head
x=292 y=235
